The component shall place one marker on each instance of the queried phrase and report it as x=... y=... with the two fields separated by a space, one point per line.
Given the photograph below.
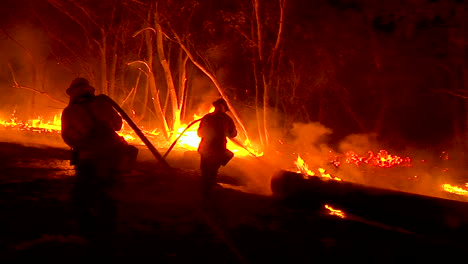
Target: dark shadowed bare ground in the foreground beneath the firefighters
x=161 y=215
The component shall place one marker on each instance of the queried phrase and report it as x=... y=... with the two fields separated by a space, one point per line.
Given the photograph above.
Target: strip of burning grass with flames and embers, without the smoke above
x=379 y=168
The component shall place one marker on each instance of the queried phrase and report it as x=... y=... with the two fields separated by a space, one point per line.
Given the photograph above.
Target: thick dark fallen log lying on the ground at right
x=421 y=214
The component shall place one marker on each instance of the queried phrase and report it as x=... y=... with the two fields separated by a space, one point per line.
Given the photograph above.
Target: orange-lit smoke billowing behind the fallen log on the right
x=424 y=173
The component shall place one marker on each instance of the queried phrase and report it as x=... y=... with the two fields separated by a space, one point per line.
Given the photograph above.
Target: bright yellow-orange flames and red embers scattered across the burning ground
x=189 y=140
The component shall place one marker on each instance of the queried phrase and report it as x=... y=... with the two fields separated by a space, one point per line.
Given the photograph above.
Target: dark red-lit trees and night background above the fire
x=392 y=68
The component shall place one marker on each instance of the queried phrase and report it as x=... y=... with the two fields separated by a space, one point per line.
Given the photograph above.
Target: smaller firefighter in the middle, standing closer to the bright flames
x=213 y=130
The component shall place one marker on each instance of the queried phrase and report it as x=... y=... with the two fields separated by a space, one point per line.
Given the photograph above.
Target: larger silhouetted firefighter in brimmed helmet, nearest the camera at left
x=89 y=125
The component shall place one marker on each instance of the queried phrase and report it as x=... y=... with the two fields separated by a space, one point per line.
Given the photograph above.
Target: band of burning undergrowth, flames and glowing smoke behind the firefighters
x=358 y=158
